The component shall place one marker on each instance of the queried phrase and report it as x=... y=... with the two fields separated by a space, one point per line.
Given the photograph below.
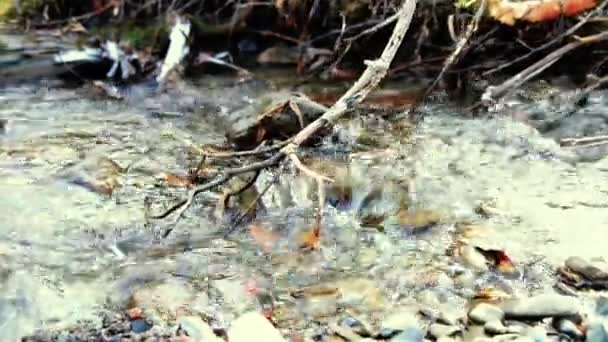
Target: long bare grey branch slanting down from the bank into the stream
x=374 y=73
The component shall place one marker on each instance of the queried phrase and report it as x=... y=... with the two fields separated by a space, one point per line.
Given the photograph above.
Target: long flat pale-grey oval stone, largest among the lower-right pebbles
x=541 y=306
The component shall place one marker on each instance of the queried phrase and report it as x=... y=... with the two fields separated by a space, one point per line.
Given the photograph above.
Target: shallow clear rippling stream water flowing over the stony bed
x=68 y=250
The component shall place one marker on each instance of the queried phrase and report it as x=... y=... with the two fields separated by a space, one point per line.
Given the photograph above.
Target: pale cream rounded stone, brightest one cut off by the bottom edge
x=253 y=326
